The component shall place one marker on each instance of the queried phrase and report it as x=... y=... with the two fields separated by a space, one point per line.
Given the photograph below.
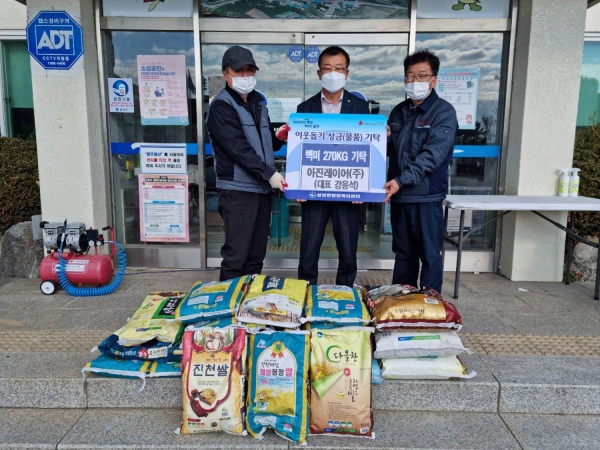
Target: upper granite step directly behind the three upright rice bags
x=515 y=384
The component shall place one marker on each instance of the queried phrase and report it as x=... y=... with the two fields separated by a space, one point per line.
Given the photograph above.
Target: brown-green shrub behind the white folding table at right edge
x=586 y=157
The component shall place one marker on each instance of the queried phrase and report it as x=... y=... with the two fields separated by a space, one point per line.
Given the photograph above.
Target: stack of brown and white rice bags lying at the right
x=416 y=333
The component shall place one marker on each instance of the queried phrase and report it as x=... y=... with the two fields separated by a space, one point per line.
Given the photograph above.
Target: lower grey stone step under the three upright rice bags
x=124 y=429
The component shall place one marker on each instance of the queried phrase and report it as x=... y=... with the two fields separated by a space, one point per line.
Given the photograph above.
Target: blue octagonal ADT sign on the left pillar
x=54 y=40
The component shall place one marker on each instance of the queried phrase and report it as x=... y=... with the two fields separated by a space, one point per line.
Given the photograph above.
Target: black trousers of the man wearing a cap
x=246 y=216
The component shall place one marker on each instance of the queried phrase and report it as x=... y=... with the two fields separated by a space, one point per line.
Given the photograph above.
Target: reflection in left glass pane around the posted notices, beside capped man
x=122 y=49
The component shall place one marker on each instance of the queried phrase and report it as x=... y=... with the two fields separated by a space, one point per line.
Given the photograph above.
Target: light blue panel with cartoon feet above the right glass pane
x=462 y=9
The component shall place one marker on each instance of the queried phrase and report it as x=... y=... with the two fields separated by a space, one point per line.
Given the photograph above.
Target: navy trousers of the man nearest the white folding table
x=418 y=235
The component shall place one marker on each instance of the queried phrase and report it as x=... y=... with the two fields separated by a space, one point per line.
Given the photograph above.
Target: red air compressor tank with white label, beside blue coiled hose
x=90 y=270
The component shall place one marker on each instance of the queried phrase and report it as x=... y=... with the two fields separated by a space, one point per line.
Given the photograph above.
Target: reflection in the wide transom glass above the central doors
x=306 y=9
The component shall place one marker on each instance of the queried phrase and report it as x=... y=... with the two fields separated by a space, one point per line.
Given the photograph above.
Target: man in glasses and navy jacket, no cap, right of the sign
x=422 y=134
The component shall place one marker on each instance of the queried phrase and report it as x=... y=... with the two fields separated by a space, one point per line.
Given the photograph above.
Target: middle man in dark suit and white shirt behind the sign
x=333 y=99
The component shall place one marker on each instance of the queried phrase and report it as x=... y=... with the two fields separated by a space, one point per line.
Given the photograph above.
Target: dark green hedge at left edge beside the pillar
x=19 y=191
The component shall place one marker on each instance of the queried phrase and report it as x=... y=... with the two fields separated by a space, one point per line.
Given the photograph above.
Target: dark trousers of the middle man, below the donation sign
x=346 y=223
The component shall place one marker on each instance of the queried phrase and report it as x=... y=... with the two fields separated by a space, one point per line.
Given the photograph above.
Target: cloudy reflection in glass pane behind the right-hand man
x=476 y=173
